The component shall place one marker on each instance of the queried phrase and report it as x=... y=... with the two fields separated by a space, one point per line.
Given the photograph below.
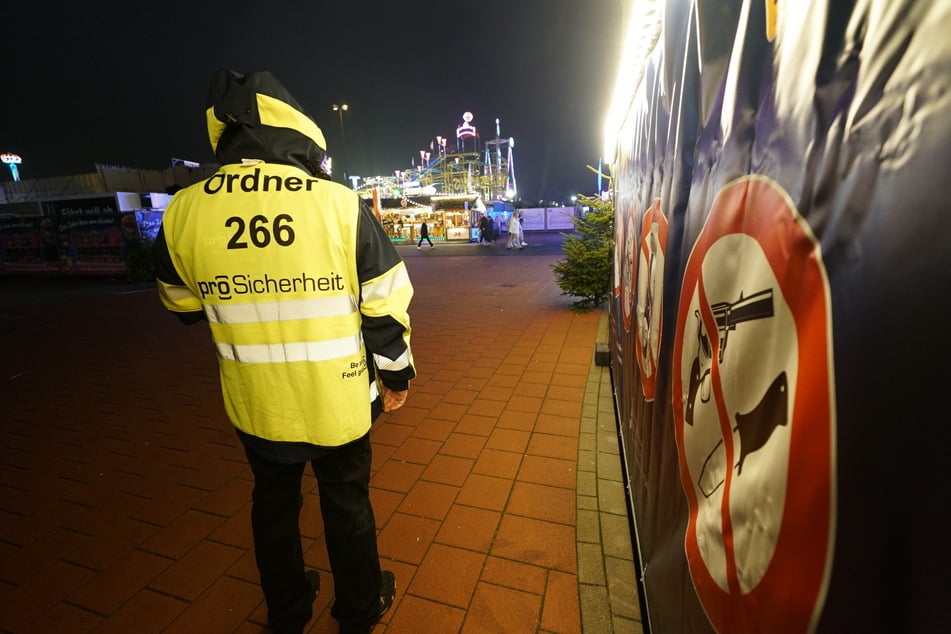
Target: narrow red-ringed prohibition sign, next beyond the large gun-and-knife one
x=650 y=294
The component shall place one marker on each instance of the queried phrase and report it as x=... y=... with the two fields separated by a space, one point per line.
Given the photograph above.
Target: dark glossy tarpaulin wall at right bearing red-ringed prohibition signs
x=781 y=282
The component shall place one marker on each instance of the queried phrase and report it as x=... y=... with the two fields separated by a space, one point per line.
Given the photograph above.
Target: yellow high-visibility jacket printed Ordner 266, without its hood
x=306 y=297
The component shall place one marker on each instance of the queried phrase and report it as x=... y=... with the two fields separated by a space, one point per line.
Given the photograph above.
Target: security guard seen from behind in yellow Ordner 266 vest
x=307 y=303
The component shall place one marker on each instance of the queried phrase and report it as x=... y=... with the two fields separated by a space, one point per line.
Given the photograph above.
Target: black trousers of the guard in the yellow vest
x=343 y=482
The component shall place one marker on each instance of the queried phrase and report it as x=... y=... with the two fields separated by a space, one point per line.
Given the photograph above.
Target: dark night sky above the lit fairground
x=124 y=83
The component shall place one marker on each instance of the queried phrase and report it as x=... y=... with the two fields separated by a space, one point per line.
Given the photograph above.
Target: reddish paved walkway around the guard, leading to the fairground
x=125 y=497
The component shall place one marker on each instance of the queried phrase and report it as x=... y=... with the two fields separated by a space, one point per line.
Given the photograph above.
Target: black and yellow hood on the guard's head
x=253 y=116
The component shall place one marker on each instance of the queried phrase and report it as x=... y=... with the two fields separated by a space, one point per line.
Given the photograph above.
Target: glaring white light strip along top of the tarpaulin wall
x=643 y=32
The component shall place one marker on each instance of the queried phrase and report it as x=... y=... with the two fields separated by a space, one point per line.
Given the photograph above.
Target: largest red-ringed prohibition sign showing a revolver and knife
x=753 y=403
